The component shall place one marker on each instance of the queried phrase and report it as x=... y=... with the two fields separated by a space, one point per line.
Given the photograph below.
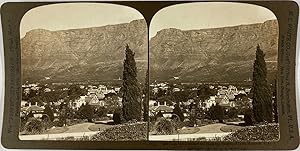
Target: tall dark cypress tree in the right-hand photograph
x=262 y=98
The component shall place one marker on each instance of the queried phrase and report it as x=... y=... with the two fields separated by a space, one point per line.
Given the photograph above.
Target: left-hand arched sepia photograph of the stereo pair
x=84 y=73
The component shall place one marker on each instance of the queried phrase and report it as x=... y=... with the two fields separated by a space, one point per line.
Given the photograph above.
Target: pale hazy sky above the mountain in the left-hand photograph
x=76 y=15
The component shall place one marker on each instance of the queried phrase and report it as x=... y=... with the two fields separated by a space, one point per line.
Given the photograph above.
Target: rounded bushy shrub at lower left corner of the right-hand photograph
x=164 y=126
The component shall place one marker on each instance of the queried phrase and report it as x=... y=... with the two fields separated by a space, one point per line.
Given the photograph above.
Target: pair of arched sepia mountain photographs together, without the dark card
x=201 y=71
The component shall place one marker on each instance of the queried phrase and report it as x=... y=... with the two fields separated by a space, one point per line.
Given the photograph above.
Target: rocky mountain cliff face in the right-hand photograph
x=219 y=54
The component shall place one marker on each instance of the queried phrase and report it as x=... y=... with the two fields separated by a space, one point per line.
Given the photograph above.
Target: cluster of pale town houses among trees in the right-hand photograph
x=225 y=97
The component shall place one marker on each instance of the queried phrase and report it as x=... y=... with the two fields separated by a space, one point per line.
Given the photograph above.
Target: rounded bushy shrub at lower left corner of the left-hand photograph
x=34 y=126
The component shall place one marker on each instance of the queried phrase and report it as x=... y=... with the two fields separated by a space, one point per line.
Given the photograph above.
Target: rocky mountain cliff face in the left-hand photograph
x=83 y=54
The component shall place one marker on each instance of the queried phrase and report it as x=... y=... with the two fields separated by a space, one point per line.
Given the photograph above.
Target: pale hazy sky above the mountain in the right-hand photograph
x=208 y=15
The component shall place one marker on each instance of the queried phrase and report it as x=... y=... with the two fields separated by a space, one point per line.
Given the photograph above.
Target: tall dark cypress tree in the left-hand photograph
x=131 y=93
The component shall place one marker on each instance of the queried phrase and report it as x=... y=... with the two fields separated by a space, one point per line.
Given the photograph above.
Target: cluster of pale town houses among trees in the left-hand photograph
x=97 y=96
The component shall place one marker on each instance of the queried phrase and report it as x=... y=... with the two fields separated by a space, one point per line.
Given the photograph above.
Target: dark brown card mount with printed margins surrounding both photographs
x=12 y=12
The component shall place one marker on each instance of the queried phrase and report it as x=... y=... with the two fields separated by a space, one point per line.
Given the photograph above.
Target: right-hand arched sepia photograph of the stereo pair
x=213 y=73
